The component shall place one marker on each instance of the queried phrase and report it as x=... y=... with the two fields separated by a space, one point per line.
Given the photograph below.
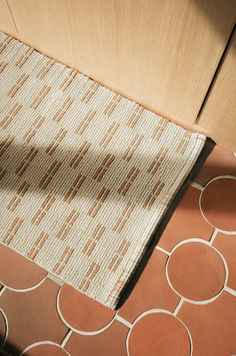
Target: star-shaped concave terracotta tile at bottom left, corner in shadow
x=32 y=316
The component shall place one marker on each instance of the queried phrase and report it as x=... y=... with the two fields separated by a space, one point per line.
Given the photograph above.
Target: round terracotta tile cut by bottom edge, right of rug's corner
x=158 y=333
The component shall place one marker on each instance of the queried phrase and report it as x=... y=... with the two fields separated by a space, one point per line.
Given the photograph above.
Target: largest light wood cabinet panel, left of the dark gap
x=160 y=53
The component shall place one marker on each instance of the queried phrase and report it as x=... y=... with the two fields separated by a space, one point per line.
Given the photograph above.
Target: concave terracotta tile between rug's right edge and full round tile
x=151 y=291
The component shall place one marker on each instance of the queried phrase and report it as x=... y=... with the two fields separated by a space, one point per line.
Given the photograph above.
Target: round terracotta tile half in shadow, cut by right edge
x=218 y=203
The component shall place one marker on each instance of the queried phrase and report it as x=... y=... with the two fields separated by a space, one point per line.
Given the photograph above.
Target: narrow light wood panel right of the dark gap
x=219 y=113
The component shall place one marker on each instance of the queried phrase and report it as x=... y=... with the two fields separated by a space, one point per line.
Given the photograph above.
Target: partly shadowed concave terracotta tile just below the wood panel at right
x=219 y=162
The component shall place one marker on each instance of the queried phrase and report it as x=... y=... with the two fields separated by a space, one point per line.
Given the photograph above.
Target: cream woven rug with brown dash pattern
x=85 y=174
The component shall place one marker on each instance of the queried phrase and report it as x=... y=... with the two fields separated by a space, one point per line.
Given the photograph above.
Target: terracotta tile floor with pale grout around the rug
x=183 y=304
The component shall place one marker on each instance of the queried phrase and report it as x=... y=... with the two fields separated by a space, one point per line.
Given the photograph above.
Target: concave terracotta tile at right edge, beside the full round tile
x=226 y=244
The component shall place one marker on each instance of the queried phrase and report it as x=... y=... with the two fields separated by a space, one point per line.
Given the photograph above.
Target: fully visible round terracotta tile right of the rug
x=196 y=271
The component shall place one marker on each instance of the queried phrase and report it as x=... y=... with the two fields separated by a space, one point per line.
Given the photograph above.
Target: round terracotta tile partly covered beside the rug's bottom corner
x=83 y=313
